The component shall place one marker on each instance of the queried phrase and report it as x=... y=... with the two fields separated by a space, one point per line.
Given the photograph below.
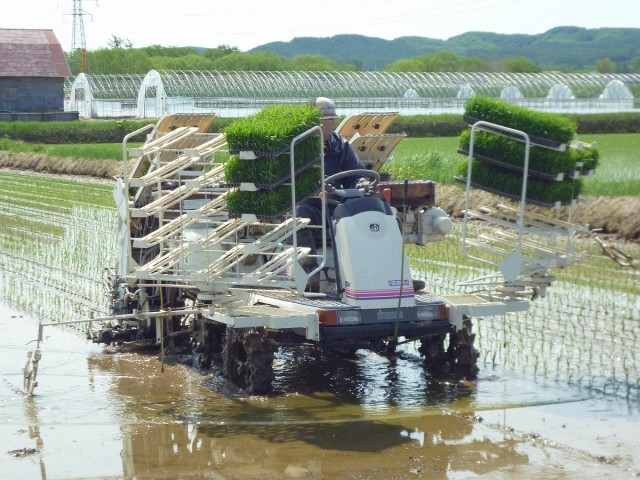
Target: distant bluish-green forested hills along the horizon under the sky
x=564 y=48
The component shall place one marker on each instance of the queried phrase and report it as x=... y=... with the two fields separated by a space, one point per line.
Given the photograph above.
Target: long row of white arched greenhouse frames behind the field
x=235 y=94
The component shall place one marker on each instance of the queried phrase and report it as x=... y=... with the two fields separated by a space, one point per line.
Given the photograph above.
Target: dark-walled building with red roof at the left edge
x=32 y=73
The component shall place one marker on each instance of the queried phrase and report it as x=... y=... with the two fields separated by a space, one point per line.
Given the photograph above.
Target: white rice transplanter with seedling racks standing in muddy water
x=210 y=264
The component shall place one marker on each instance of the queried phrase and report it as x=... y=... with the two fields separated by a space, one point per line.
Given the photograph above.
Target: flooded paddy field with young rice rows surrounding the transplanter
x=557 y=395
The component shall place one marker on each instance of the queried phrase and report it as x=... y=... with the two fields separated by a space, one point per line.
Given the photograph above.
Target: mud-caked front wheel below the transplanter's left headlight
x=248 y=359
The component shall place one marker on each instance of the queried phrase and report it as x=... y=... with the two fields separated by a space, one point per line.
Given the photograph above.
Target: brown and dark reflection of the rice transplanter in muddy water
x=180 y=421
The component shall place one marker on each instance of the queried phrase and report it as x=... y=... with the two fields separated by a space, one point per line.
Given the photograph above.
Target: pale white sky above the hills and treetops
x=250 y=23
